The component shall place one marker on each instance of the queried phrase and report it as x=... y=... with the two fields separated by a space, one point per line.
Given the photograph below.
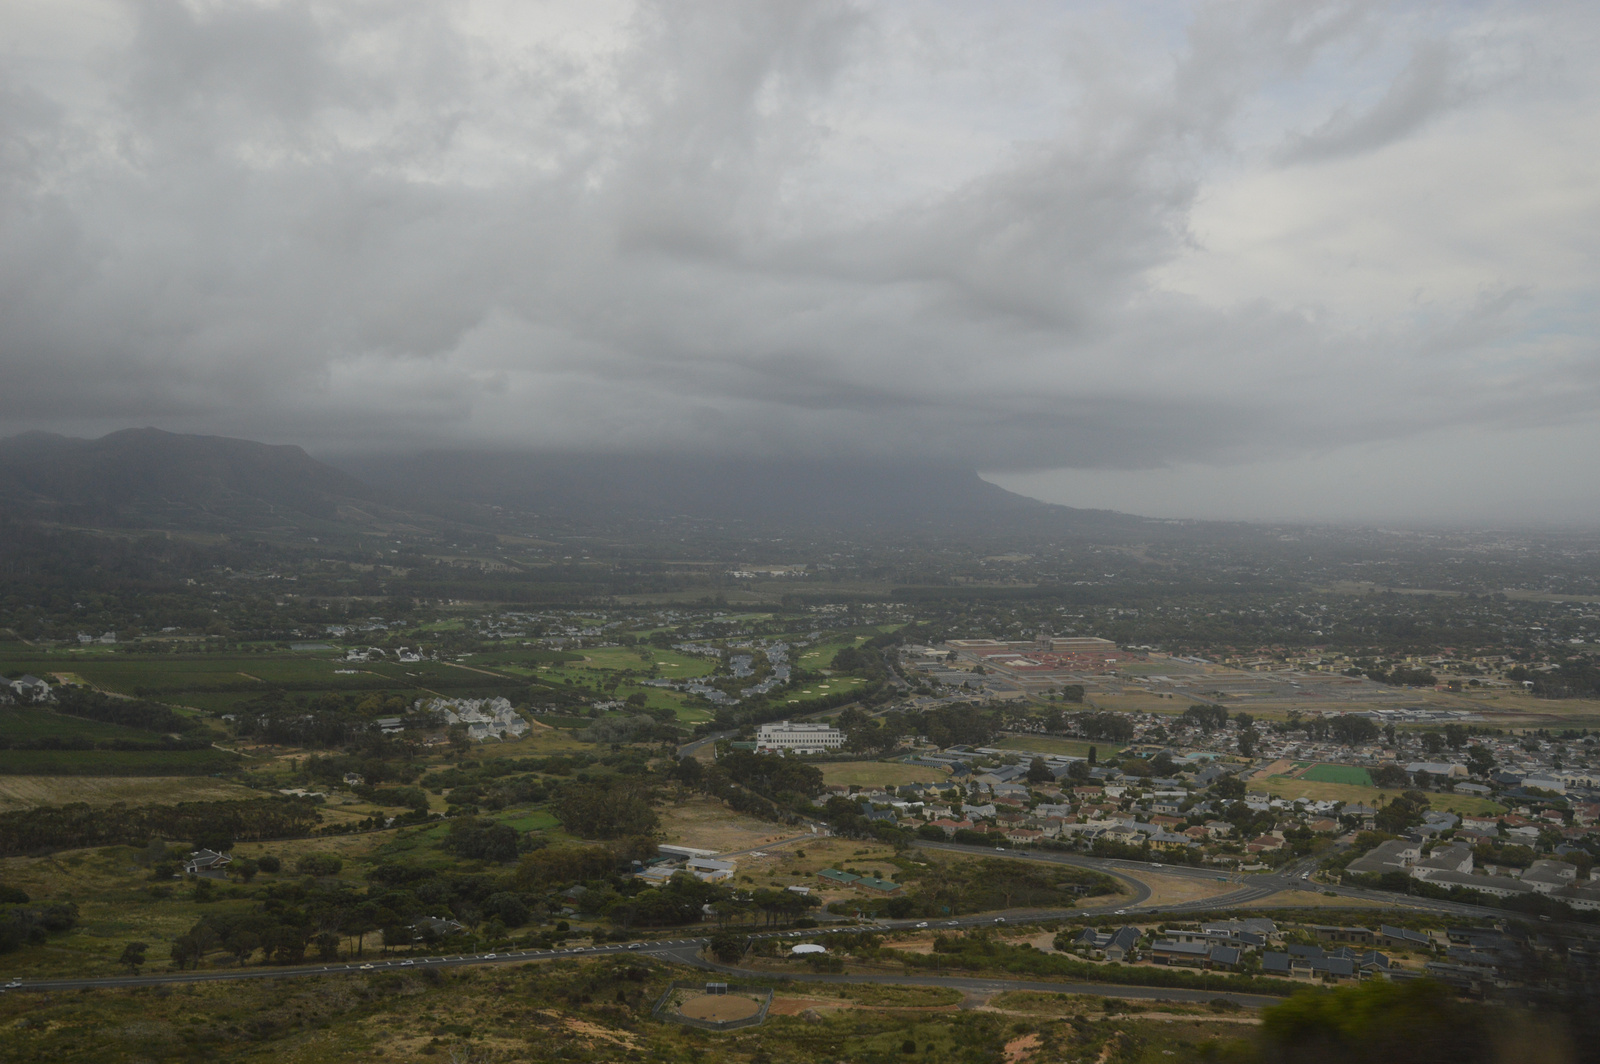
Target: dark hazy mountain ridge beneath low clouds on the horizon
x=209 y=482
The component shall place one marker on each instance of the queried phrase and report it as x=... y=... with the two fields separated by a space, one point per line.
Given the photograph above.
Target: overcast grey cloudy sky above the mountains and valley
x=1222 y=260
